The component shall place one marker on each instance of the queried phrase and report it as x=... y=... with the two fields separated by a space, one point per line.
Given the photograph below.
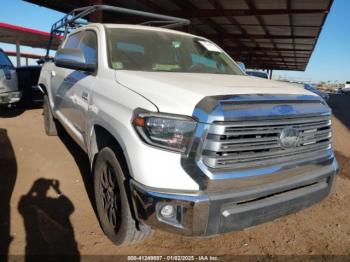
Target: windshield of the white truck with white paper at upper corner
x=148 y=50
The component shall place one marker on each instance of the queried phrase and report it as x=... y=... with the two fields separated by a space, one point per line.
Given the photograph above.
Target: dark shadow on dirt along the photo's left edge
x=8 y=174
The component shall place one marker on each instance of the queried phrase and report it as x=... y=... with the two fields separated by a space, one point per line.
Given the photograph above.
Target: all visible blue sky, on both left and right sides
x=330 y=60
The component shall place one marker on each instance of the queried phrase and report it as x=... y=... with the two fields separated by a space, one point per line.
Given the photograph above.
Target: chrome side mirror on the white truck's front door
x=73 y=58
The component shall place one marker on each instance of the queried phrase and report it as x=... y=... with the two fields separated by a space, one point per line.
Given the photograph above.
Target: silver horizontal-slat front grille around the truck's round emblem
x=256 y=143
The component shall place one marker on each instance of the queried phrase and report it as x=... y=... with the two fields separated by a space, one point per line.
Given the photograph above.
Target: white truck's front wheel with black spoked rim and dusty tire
x=112 y=205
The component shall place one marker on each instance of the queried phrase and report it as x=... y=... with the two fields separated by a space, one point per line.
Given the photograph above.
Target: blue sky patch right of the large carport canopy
x=330 y=60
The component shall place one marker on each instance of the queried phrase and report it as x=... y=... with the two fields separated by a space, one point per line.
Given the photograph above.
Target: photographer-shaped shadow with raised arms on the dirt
x=49 y=232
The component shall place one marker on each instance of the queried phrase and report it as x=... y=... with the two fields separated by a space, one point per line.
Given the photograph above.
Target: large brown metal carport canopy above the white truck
x=264 y=34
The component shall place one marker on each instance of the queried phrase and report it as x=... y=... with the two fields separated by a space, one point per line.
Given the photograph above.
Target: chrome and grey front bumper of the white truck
x=204 y=214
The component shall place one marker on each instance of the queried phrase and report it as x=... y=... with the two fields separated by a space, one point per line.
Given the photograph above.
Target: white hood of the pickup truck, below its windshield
x=179 y=93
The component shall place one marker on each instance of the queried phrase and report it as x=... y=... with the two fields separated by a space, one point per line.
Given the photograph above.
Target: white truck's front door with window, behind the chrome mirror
x=74 y=87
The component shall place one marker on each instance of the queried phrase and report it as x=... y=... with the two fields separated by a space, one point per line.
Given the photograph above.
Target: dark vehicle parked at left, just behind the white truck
x=28 y=84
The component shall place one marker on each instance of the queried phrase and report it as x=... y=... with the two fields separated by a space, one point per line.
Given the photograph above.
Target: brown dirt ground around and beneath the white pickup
x=27 y=154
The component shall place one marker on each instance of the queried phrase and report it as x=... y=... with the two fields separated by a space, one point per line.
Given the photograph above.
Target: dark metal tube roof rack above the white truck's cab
x=71 y=21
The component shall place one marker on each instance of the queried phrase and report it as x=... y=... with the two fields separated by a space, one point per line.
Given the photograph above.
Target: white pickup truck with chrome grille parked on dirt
x=179 y=138
